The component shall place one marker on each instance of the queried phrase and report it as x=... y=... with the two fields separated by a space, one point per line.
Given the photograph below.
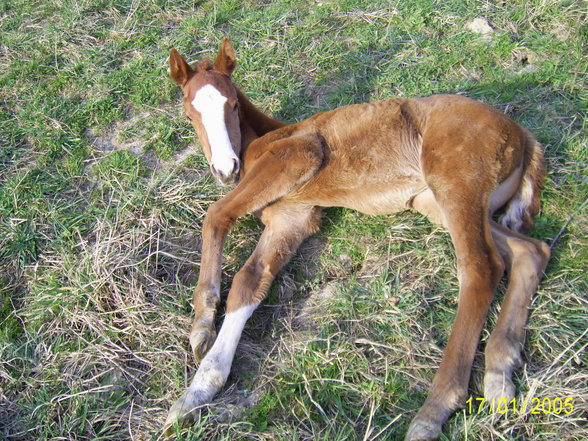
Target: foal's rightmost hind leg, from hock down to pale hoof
x=525 y=260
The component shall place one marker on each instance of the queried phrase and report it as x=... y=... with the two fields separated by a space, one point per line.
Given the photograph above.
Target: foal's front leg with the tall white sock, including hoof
x=287 y=226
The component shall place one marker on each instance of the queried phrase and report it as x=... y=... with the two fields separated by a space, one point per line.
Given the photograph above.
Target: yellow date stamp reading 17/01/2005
x=534 y=406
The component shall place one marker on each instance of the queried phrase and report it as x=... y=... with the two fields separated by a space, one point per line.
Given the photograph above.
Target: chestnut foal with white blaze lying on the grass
x=451 y=158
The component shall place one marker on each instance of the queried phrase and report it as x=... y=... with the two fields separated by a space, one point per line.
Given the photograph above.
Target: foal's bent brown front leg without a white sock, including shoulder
x=284 y=165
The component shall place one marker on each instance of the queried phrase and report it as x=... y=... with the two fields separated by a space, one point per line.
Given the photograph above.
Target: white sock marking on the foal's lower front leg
x=216 y=365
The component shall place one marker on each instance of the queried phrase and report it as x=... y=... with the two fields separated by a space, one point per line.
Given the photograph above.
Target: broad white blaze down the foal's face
x=210 y=103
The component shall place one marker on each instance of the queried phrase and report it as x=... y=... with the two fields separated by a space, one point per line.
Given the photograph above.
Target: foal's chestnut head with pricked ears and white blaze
x=211 y=105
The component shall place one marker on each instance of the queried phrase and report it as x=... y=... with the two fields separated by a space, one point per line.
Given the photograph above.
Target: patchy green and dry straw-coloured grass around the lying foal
x=101 y=208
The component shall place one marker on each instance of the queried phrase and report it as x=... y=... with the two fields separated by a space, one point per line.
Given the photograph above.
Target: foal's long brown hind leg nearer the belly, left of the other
x=480 y=267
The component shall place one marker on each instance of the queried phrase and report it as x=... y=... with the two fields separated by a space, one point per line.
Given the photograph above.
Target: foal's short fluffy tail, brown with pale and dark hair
x=520 y=211
